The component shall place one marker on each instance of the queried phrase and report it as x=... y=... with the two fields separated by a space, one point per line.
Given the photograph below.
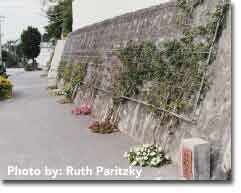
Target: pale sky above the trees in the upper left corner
x=19 y=14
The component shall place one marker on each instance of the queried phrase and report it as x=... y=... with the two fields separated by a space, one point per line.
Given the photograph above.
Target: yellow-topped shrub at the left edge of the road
x=5 y=88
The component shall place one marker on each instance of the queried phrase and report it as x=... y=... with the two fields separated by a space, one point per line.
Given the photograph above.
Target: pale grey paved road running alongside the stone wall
x=36 y=132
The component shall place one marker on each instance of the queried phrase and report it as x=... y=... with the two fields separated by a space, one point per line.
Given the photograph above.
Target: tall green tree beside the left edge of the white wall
x=60 y=19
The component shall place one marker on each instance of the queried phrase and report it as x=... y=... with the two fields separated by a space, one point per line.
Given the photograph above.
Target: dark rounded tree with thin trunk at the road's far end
x=31 y=39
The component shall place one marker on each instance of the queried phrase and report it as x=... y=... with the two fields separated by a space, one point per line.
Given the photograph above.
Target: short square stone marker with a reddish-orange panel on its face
x=195 y=159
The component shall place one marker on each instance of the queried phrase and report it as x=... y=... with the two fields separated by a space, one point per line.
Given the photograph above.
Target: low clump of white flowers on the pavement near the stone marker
x=147 y=155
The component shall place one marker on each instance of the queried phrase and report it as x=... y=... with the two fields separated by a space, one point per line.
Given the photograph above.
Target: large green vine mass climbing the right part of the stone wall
x=176 y=67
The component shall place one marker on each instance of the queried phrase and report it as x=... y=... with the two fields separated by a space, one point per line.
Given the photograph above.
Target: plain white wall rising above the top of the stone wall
x=93 y=11
